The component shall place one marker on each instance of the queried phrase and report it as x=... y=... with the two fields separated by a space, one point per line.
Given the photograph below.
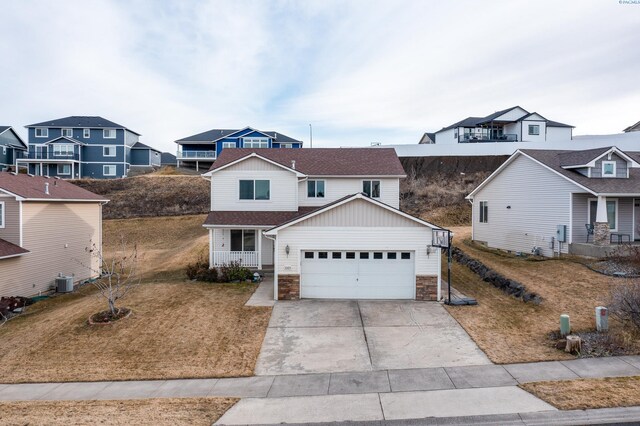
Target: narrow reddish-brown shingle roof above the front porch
x=255 y=218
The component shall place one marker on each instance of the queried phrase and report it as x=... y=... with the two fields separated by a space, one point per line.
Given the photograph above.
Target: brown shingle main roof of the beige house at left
x=33 y=187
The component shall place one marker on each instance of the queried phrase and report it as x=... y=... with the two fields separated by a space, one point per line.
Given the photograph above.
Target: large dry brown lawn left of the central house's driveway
x=178 y=329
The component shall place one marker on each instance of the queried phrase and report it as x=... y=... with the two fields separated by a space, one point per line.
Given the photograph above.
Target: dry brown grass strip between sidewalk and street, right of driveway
x=588 y=393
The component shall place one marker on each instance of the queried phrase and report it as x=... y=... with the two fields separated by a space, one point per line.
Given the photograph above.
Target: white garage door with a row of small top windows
x=357 y=275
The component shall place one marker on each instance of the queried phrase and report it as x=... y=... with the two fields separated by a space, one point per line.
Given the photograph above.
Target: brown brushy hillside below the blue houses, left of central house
x=151 y=195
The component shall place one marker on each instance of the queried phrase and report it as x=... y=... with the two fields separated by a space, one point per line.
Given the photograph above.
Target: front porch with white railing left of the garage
x=247 y=246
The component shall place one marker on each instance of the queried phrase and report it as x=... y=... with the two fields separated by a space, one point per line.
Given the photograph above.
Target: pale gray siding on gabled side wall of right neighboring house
x=539 y=200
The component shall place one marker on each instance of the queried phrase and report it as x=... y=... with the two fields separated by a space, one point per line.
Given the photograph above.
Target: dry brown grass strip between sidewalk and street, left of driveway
x=178 y=411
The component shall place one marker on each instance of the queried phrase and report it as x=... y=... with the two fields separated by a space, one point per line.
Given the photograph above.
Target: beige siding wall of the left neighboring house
x=56 y=234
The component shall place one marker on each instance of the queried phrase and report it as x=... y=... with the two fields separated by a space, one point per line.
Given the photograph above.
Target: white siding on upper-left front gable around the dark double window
x=225 y=187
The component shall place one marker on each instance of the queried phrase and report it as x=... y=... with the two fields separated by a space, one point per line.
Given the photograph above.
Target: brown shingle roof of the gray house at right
x=553 y=159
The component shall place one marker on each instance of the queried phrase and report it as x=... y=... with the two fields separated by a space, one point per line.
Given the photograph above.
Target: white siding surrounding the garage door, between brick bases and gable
x=300 y=238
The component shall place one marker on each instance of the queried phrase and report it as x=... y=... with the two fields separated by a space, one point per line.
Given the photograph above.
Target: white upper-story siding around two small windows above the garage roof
x=336 y=188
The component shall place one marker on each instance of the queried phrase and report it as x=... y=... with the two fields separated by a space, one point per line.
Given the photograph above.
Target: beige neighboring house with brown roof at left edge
x=46 y=226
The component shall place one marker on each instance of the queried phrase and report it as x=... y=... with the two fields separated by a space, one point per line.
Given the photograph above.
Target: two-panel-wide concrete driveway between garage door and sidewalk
x=321 y=336
